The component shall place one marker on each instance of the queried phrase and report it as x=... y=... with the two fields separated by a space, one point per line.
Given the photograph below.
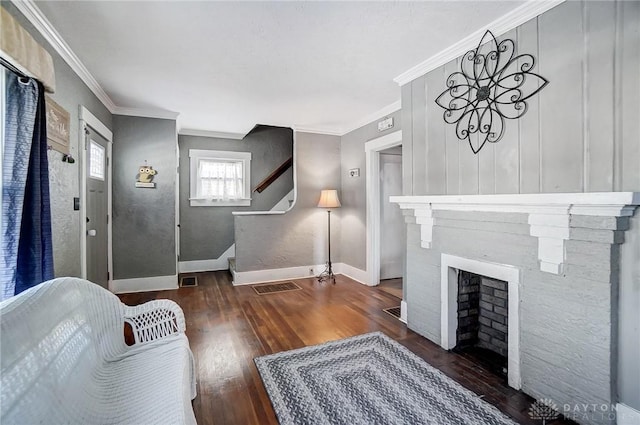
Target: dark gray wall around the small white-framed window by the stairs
x=207 y=232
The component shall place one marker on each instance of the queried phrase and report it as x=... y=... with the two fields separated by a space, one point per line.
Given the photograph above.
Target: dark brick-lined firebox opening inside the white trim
x=483 y=313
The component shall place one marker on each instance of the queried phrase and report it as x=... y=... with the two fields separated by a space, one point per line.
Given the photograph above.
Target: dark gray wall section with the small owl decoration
x=144 y=219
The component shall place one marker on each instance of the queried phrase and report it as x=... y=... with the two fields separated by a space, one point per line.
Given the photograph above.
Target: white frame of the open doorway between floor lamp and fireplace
x=372 y=152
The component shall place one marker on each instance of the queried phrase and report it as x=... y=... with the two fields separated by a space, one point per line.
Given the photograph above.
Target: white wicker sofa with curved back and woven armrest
x=64 y=359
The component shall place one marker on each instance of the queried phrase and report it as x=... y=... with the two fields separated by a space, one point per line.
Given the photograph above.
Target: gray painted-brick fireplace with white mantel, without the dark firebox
x=558 y=253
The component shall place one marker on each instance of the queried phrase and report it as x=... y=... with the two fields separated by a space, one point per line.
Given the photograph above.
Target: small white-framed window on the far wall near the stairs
x=219 y=178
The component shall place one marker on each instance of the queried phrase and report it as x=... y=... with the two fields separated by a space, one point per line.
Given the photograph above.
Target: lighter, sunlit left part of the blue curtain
x=21 y=102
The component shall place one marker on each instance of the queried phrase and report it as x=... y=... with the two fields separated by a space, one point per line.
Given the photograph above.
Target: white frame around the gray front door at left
x=87 y=119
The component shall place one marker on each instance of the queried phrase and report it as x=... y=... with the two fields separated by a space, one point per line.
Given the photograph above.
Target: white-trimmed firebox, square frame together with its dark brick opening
x=480 y=313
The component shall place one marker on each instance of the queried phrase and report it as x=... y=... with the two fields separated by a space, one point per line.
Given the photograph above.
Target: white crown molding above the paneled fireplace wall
x=500 y=26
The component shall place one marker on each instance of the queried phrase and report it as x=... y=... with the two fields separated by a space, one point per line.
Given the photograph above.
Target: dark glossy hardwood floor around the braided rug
x=228 y=326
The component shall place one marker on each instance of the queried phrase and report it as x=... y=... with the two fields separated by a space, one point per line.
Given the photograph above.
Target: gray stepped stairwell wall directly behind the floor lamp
x=298 y=237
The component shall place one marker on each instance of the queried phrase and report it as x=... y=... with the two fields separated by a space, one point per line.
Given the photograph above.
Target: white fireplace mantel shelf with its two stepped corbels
x=548 y=214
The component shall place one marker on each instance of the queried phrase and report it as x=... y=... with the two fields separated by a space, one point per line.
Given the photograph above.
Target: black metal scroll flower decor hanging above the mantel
x=493 y=84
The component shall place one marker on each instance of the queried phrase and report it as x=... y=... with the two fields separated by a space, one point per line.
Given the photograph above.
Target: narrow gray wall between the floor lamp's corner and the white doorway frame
x=354 y=191
